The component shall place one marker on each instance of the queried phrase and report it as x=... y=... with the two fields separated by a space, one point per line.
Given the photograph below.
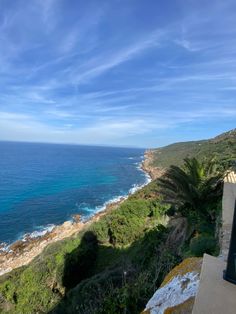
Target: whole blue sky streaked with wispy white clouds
x=117 y=72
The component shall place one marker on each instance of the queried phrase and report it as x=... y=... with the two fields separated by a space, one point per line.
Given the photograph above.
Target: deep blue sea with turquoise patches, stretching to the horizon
x=43 y=184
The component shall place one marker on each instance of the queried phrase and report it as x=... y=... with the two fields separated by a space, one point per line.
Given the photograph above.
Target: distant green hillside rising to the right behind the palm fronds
x=222 y=147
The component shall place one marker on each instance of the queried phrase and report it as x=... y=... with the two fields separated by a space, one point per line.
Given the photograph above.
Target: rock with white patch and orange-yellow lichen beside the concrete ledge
x=177 y=292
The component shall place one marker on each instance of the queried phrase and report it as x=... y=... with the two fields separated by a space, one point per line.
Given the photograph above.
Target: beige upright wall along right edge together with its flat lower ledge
x=215 y=295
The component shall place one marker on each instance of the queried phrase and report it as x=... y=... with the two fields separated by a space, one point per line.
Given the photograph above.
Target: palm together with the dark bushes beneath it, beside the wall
x=195 y=191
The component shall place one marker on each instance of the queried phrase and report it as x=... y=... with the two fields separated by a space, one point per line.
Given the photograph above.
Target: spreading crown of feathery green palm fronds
x=192 y=186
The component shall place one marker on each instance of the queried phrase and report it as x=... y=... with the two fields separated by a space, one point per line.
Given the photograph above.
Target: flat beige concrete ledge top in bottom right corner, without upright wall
x=215 y=295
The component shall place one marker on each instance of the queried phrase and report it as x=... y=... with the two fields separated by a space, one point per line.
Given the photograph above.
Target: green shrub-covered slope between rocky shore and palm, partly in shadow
x=90 y=268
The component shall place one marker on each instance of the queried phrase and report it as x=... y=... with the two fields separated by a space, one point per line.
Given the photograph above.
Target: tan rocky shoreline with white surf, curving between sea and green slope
x=22 y=252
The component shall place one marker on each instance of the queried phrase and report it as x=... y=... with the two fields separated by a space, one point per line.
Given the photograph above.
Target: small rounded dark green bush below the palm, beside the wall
x=203 y=244
